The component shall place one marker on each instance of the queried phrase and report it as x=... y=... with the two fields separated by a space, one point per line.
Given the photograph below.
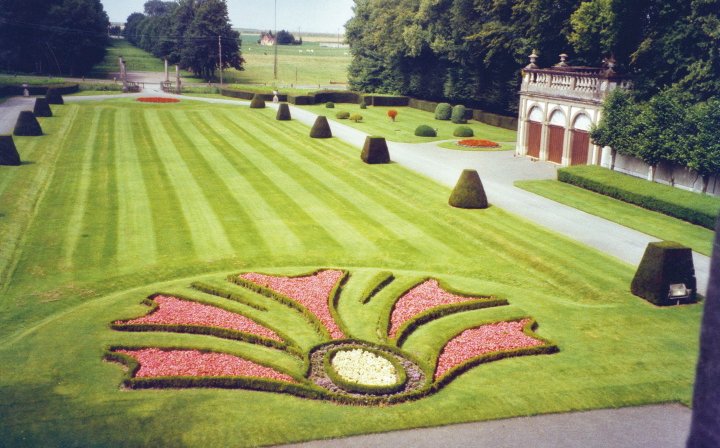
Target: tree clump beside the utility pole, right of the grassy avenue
x=187 y=33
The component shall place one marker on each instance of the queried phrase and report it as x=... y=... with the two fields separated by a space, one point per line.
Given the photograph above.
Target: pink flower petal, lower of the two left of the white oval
x=158 y=363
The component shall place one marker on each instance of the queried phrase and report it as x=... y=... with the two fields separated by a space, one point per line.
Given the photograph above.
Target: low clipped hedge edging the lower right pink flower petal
x=547 y=349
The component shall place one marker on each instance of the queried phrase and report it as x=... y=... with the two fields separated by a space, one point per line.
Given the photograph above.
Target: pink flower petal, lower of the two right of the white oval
x=502 y=336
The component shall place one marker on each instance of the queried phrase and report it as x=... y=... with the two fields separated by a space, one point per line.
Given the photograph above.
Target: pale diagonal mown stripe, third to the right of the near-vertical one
x=342 y=231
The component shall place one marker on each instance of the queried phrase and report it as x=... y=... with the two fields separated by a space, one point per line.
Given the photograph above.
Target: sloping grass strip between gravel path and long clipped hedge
x=652 y=223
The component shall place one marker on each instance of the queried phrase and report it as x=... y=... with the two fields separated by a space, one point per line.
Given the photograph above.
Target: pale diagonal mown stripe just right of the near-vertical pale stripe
x=208 y=235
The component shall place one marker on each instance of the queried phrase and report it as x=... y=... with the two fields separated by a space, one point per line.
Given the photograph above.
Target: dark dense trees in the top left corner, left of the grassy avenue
x=52 y=36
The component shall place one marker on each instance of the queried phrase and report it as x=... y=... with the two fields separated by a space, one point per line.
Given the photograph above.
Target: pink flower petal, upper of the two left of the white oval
x=174 y=311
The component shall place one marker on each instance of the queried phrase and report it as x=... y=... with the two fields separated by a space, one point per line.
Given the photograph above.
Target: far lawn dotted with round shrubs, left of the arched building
x=376 y=122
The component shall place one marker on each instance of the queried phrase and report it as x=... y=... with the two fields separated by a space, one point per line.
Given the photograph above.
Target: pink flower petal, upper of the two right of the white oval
x=424 y=296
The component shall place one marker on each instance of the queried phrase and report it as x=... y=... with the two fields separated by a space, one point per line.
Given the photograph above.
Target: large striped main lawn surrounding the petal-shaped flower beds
x=120 y=200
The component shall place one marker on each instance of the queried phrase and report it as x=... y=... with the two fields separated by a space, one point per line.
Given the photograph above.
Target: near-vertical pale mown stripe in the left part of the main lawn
x=136 y=240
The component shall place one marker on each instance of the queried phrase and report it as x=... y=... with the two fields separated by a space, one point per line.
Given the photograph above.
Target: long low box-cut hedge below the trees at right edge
x=692 y=207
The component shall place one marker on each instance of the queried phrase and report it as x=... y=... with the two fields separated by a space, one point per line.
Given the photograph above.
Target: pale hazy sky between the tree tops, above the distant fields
x=323 y=16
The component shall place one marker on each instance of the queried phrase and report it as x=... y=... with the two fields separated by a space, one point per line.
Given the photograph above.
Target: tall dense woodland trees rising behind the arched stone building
x=472 y=51
